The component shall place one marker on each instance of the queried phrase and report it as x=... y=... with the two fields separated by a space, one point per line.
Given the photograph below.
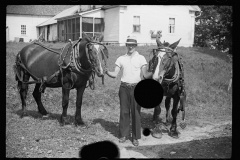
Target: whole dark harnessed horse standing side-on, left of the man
x=69 y=68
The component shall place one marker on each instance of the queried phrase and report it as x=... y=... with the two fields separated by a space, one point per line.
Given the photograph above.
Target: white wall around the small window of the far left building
x=14 y=23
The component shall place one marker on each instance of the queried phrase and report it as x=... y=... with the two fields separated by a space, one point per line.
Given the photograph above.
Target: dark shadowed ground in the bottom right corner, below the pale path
x=220 y=147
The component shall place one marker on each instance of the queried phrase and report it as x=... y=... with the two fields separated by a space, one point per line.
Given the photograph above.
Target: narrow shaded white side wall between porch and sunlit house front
x=111 y=30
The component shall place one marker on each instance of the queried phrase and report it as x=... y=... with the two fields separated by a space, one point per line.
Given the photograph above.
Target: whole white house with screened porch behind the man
x=119 y=21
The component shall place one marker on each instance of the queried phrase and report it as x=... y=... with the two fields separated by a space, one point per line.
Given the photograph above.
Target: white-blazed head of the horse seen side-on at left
x=97 y=53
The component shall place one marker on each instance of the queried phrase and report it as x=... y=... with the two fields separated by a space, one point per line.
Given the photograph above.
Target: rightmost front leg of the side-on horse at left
x=78 y=118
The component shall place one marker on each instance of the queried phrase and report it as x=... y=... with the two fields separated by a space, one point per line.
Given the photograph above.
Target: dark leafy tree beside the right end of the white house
x=214 y=28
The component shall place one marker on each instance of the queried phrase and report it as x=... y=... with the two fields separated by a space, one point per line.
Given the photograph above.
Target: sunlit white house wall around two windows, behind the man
x=156 y=18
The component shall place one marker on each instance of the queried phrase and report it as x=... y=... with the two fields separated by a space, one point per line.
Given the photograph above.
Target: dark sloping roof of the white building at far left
x=44 y=10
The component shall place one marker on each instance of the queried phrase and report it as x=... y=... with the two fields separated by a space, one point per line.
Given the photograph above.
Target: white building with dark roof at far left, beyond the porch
x=21 y=20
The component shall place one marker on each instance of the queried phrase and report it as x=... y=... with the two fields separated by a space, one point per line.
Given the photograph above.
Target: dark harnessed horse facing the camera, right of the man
x=168 y=71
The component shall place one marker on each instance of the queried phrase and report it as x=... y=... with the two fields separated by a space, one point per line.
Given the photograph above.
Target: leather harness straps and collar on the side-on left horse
x=73 y=66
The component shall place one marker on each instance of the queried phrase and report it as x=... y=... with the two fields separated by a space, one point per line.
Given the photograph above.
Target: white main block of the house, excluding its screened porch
x=175 y=22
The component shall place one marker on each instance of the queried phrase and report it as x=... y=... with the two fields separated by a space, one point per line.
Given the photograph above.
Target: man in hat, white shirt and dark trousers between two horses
x=133 y=65
